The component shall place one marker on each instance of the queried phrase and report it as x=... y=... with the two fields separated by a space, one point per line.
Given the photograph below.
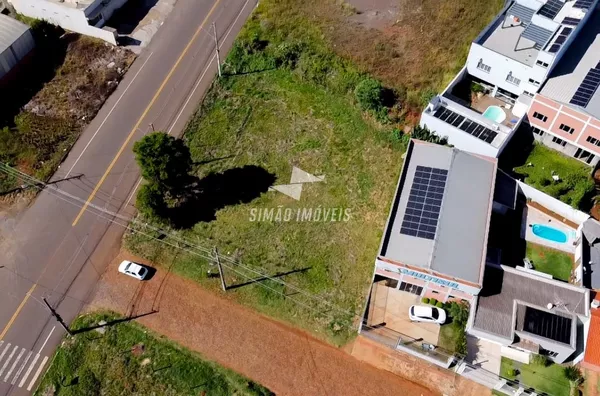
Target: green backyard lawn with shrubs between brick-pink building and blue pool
x=576 y=185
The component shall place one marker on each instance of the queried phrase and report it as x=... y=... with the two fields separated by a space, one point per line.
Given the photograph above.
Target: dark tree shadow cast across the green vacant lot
x=204 y=197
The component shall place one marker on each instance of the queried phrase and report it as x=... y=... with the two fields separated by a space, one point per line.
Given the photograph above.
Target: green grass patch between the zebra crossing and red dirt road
x=93 y=364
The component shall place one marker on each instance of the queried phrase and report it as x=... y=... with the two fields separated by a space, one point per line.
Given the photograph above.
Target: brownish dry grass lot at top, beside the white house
x=420 y=48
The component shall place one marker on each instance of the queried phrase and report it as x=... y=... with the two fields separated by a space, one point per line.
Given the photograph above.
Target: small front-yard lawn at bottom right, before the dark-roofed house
x=549 y=379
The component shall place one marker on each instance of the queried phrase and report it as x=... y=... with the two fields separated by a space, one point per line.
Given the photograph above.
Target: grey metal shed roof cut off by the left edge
x=16 y=41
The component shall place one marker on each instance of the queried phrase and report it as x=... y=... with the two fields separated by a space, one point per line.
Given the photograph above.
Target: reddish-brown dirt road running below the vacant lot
x=284 y=359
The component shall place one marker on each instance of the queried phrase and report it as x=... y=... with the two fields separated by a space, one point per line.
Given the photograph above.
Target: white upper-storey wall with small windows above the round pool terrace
x=500 y=65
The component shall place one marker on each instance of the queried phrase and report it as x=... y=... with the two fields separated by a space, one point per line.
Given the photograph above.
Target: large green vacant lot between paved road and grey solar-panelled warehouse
x=287 y=100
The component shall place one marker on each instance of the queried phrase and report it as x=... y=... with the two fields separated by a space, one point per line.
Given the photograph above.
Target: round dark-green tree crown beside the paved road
x=164 y=160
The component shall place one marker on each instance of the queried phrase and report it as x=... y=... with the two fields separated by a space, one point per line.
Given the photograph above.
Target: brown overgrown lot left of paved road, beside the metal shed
x=53 y=96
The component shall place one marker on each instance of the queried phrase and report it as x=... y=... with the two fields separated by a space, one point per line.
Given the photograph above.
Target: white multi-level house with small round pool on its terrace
x=507 y=63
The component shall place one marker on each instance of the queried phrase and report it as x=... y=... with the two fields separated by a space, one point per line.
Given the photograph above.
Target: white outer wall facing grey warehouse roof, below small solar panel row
x=458 y=138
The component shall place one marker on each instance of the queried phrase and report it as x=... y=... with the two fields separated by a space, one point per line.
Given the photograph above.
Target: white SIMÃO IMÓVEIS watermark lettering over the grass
x=286 y=215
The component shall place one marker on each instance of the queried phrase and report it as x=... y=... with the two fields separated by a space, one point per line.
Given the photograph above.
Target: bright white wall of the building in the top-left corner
x=67 y=17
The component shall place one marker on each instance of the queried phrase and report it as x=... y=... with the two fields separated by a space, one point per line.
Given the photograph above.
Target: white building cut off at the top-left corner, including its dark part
x=82 y=16
